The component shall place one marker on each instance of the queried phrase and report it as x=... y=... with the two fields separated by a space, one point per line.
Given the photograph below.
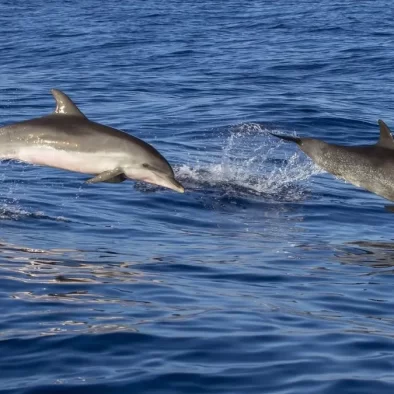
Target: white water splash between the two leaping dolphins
x=252 y=163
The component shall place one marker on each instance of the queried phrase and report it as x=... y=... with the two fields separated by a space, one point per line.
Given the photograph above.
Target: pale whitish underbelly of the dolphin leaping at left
x=87 y=163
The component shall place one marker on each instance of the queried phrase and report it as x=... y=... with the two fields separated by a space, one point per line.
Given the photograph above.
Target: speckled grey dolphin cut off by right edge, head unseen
x=370 y=167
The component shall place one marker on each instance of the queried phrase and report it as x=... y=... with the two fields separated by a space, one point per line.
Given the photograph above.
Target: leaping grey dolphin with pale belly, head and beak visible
x=67 y=140
